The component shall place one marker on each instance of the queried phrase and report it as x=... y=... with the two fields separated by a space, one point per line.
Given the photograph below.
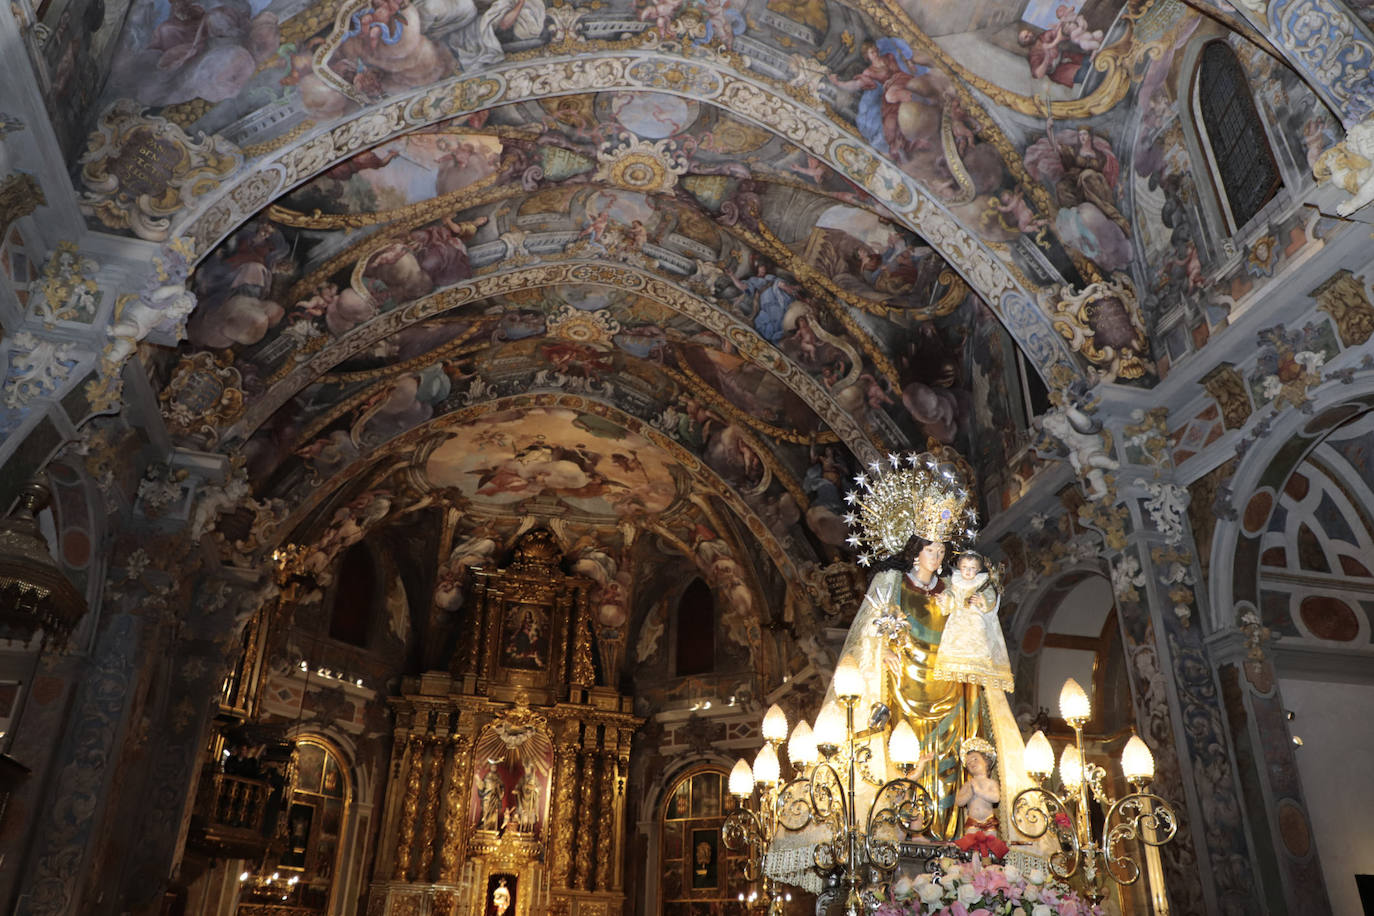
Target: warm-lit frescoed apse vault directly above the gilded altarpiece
x=620 y=496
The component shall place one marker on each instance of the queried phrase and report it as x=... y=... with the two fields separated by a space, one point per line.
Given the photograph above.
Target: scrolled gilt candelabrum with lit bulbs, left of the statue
x=824 y=793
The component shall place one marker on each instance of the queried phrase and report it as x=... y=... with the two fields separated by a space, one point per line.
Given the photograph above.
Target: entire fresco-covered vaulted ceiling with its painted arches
x=668 y=273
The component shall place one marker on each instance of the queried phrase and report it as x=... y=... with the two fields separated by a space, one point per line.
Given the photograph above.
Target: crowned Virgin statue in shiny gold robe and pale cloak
x=905 y=520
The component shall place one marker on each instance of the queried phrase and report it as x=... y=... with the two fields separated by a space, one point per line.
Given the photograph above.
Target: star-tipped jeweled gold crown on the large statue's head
x=928 y=498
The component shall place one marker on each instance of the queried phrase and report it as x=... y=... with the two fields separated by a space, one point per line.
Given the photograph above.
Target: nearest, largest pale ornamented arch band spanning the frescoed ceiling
x=990 y=271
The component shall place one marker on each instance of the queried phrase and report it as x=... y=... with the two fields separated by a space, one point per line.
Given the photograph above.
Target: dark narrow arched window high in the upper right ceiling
x=1240 y=152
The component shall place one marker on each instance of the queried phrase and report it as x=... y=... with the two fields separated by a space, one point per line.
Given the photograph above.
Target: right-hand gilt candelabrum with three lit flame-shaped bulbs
x=1138 y=816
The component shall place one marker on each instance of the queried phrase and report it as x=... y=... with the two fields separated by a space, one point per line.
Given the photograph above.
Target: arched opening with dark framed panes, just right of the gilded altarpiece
x=699 y=873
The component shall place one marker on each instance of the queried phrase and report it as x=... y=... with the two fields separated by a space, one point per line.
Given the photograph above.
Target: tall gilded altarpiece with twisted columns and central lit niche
x=506 y=794
